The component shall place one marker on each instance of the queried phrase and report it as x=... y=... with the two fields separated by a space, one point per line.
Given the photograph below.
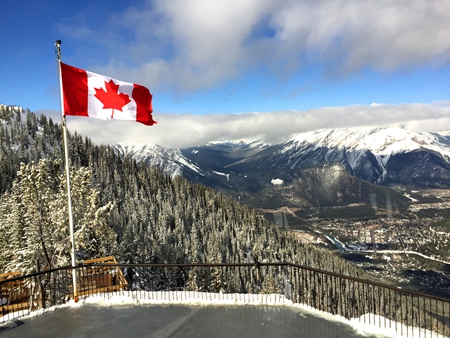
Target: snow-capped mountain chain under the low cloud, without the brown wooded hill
x=387 y=156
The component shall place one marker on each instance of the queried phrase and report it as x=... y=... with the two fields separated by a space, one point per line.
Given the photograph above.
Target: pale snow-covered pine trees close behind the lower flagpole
x=34 y=217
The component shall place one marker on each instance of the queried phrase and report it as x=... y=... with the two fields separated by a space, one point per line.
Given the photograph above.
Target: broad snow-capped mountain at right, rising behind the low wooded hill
x=381 y=155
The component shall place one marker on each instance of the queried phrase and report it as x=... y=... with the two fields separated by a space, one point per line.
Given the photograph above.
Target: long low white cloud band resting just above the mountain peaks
x=180 y=131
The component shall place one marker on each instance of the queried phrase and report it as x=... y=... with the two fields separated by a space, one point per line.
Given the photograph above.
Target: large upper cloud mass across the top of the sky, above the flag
x=191 y=45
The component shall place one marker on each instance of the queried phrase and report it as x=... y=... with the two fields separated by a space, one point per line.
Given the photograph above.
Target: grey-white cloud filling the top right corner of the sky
x=350 y=35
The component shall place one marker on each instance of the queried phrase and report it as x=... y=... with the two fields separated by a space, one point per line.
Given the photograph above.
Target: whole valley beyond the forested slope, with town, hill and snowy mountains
x=384 y=201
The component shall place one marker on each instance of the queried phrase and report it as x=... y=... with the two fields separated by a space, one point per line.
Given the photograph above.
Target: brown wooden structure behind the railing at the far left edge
x=14 y=295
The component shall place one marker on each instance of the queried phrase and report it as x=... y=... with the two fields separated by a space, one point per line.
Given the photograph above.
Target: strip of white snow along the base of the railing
x=366 y=324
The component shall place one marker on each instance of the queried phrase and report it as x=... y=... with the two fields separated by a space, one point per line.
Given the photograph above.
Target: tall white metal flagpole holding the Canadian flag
x=66 y=156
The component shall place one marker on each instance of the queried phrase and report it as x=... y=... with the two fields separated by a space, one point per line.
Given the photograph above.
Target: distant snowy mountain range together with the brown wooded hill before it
x=327 y=167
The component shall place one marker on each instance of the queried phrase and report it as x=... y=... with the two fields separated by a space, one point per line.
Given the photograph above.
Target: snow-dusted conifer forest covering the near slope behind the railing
x=122 y=208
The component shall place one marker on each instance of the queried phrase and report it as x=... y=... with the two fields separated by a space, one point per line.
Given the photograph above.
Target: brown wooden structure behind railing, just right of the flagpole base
x=101 y=278
